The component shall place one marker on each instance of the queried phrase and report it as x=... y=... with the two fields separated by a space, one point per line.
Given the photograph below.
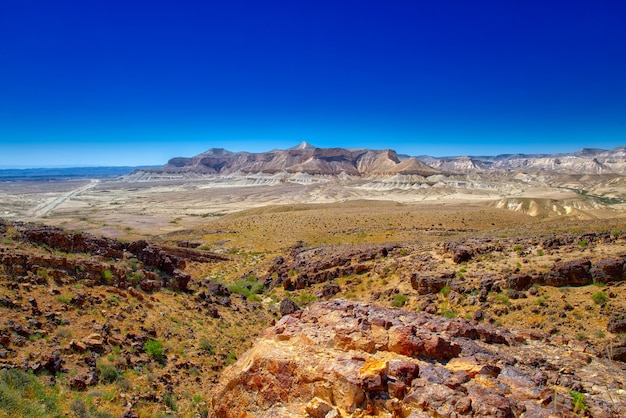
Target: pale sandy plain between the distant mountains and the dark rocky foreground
x=131 y=209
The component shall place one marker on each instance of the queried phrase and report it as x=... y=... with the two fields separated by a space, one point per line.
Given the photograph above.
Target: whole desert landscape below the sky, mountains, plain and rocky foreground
x=318 y=282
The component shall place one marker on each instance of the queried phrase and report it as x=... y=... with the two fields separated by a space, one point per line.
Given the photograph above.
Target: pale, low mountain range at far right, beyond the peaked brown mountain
x=585 y=161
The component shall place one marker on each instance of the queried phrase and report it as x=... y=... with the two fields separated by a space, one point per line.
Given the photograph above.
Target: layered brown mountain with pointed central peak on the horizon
x=303 y=158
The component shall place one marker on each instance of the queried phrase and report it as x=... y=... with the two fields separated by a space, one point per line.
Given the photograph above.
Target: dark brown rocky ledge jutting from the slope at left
x=153 y=267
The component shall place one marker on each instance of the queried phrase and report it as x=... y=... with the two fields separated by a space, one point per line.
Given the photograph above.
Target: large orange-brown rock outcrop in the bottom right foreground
x=343 y=358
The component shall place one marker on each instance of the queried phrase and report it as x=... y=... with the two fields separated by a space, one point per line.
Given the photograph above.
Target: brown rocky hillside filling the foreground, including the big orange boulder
x=448 y=321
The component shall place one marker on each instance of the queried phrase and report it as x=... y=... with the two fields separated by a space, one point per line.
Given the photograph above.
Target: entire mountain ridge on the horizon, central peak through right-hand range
x=308 y=159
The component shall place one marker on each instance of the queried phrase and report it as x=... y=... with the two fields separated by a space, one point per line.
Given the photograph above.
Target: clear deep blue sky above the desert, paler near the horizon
x=112 y=82
